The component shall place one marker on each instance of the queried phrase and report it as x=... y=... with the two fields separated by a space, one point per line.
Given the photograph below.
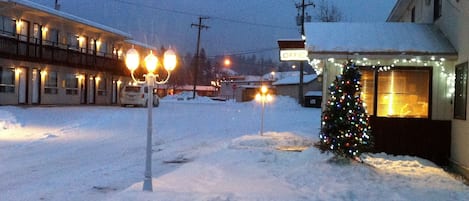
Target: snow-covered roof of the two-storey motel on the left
x=67 y=16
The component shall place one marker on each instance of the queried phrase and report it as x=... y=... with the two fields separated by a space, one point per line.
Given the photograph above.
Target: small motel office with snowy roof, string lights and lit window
x=407 y=80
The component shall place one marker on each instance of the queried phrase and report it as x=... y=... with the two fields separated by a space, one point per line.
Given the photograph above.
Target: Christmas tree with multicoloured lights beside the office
x=345 y=124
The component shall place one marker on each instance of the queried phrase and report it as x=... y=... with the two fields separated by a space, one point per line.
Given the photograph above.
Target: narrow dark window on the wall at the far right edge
x=460 y=93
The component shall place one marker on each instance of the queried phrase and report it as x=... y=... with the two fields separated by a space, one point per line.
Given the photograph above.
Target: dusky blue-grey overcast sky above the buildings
x=235 y=26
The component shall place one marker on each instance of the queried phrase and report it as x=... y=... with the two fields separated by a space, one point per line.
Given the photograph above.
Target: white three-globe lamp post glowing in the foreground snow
x=132 y=61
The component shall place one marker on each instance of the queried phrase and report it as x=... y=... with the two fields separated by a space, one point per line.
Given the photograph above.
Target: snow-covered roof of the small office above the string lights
x=385 y=38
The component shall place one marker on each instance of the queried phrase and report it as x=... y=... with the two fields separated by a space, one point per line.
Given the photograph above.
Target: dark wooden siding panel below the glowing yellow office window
x=429 y=139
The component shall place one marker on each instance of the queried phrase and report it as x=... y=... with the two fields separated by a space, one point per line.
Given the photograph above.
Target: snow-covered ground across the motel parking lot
x=203 y=151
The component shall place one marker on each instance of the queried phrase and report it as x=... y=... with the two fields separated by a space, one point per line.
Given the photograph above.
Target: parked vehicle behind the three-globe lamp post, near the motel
x=137 y=95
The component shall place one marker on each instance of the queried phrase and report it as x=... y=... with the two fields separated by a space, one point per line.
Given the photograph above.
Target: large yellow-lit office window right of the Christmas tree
x=403 y=93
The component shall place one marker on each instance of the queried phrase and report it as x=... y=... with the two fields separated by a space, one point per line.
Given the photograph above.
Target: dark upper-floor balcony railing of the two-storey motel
x=59 y=54
